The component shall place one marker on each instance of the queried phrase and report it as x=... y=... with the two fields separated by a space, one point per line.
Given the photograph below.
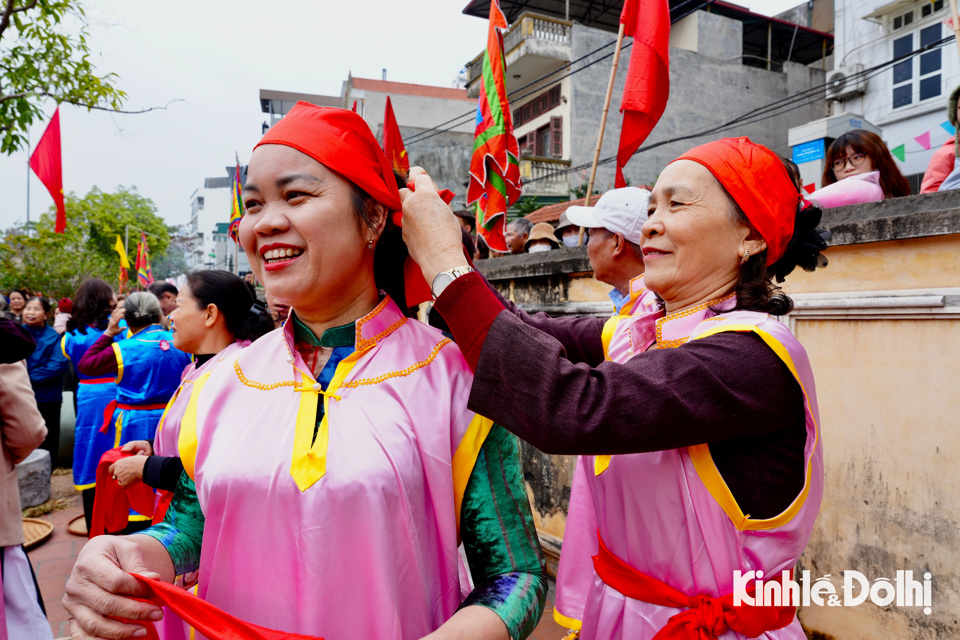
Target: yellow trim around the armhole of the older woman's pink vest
x=707 y=469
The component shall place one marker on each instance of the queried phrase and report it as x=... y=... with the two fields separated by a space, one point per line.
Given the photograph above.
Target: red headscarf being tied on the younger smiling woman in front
x=341 y=141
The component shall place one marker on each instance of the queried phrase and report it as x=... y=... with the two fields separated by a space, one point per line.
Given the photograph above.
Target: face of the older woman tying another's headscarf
x=691 y=245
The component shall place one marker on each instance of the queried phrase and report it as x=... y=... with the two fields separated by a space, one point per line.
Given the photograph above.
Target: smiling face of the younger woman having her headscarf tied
x=301 y=233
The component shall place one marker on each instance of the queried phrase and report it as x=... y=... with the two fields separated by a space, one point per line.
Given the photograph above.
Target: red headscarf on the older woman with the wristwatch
x=758 y=182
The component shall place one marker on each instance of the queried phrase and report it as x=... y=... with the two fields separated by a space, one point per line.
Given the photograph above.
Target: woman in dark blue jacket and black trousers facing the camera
x=46 y=366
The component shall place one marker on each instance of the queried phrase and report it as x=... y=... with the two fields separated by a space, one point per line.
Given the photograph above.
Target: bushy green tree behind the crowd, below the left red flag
x=56 y=263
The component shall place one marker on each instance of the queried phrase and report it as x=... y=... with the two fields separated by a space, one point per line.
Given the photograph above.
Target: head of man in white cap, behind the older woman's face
x=614 y=225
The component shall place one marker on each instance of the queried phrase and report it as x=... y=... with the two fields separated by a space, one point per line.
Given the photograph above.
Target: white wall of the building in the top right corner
x=870 y=42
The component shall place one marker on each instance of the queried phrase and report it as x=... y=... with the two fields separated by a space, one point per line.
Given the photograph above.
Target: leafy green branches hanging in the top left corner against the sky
x=42 y=57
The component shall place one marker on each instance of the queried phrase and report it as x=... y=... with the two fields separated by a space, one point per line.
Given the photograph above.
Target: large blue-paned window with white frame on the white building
x=918 y=77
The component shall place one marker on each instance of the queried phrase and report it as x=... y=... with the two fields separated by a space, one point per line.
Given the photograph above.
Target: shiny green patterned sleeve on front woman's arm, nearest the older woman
x=500 y=538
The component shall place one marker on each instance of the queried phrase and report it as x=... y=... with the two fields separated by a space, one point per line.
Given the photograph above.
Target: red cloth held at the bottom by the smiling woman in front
x=204 y=617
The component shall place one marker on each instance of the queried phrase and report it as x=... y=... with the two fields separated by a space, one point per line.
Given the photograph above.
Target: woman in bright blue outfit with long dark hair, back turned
x=92 y=305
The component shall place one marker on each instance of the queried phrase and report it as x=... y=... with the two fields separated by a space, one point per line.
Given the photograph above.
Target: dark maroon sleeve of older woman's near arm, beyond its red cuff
x=719 y=388
